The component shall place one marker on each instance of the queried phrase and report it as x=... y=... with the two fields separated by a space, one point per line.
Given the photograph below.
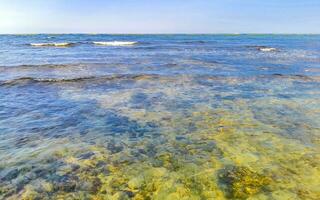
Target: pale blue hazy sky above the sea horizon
x=159 y=16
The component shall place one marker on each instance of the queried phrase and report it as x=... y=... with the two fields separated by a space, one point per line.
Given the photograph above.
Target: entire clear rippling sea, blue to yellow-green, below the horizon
x=170 y=117
